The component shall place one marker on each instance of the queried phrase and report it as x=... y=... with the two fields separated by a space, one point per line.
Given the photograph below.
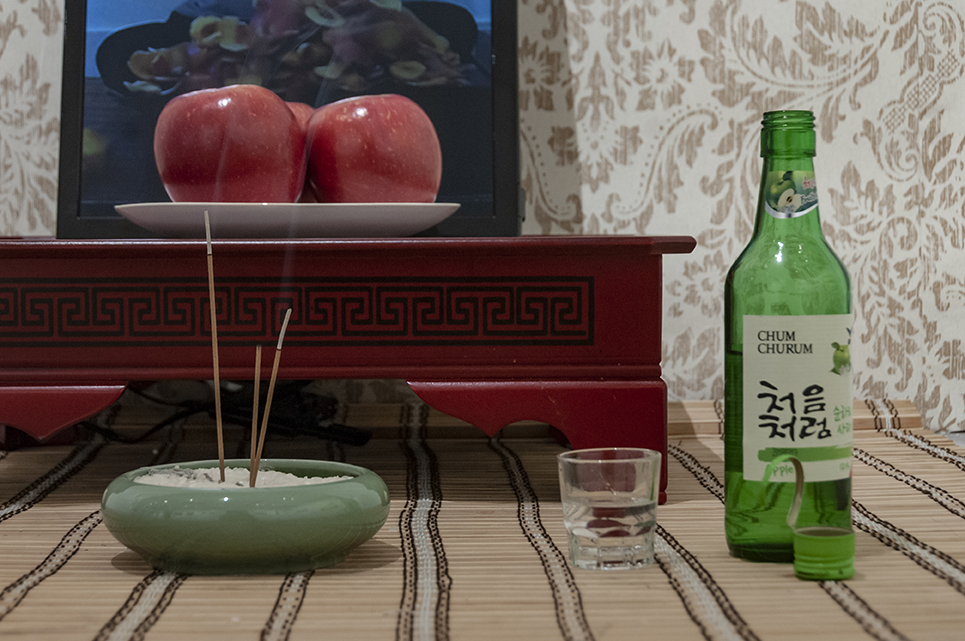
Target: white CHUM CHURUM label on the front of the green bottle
x=797 y=395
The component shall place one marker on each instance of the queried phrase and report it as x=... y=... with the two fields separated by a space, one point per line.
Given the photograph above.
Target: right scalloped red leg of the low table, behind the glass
x=589 y=413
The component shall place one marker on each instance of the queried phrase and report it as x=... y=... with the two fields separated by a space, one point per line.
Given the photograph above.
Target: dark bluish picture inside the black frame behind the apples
x=139 y=55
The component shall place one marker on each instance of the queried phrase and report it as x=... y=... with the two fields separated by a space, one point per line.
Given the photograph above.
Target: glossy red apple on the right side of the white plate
x=373 y=149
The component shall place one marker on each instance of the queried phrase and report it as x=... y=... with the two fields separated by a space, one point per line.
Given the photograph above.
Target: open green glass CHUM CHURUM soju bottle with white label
x=788 y=321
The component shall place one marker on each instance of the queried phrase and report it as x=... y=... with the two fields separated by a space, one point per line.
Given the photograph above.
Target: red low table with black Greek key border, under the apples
x=564 y=330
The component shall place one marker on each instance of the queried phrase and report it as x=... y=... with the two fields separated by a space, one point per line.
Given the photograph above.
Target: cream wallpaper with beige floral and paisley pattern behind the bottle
x=642 y=117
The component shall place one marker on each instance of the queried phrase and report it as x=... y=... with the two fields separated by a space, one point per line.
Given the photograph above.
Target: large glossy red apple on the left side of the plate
x=233 y=144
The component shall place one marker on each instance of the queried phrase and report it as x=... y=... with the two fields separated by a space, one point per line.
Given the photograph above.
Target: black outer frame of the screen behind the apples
x=508 y=204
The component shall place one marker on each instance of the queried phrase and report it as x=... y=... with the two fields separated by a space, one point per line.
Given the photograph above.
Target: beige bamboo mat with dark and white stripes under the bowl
x=474 y=547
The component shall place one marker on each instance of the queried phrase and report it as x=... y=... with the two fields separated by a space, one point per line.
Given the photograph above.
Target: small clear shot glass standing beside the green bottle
x=610 y=506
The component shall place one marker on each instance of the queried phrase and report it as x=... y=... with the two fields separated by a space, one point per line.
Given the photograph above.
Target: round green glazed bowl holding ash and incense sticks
x=241 y=530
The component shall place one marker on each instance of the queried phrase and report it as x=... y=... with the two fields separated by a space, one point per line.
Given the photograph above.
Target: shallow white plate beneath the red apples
x=287 y=220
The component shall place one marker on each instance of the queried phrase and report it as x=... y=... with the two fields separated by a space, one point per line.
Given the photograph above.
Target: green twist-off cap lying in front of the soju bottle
x=823 y=553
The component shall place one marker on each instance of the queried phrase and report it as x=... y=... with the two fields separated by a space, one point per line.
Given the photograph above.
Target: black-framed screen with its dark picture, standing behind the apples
x=125 y=60
